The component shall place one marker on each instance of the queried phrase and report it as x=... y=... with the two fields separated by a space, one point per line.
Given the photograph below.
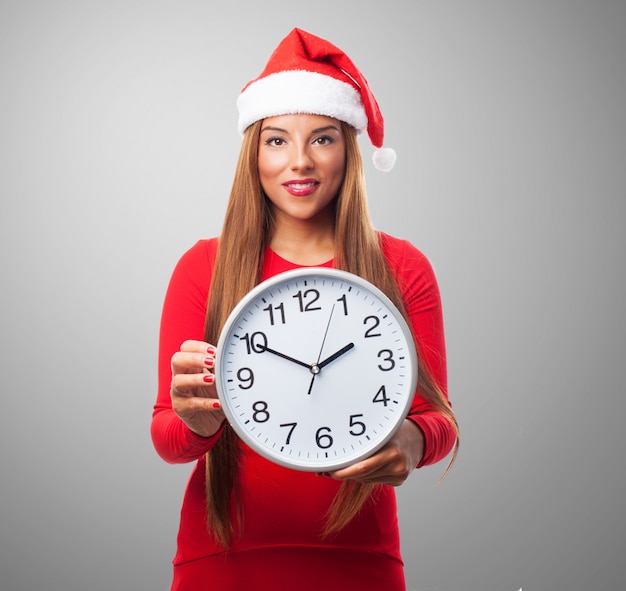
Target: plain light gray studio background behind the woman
x=117 y=148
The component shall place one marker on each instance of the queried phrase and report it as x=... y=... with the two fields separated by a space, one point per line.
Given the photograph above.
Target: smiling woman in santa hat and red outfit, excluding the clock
x=298 y=199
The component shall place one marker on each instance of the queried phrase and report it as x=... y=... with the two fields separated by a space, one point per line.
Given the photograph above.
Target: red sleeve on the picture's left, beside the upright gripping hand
x=182 y=319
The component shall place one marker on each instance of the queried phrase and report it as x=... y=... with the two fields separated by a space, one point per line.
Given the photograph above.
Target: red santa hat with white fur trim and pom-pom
x=307 y=74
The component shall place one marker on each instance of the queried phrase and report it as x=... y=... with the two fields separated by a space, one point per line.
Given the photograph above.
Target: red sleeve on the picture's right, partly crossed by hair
x=422 y=299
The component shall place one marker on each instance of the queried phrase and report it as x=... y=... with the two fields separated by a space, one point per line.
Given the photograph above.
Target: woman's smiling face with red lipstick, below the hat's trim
x=301 y=165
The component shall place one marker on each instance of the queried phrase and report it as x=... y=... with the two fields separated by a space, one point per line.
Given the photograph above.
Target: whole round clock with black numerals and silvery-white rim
x=315 y=369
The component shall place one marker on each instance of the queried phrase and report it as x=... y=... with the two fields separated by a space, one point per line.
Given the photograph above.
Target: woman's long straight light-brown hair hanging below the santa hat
x=244 y=238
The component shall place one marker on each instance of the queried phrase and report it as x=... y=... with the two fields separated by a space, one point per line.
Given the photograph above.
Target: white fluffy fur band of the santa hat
x=299 y=91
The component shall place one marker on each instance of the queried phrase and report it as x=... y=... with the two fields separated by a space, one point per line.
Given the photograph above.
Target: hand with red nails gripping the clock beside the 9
x=193 y=392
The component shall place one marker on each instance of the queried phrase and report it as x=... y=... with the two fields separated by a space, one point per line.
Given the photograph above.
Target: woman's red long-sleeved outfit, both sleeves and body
x=284 y=510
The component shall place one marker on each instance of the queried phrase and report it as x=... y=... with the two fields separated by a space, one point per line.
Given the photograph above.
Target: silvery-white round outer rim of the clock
x=254 y=293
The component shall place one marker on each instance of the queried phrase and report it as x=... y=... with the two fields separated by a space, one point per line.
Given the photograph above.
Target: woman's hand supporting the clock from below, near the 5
x=393 y=463
